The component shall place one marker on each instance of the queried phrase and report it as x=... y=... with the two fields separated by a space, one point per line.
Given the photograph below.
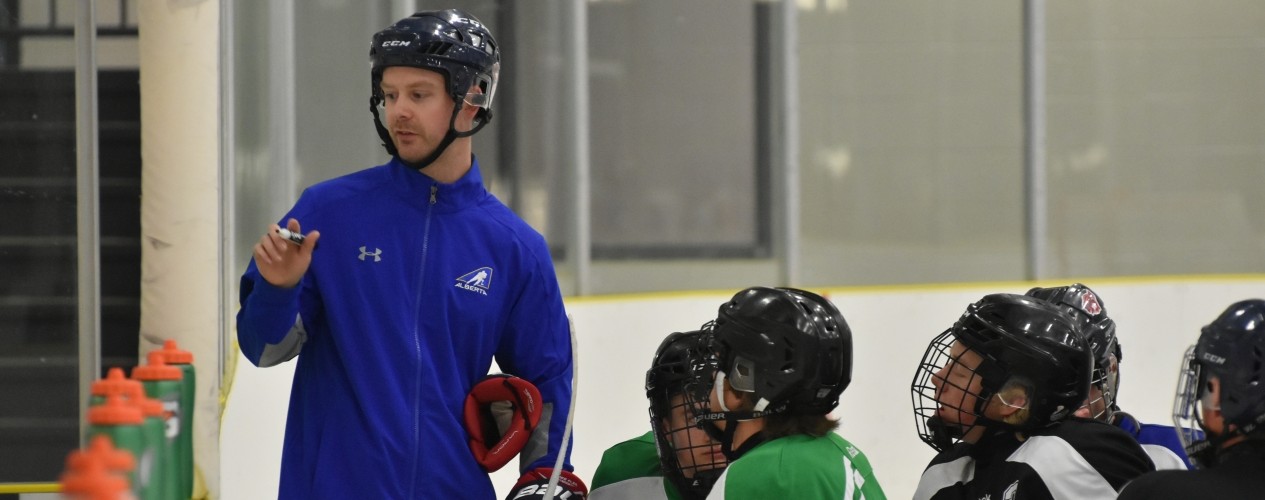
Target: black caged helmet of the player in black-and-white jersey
x=1021 y=342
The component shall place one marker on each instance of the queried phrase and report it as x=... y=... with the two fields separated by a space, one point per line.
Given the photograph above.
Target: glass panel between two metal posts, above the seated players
x=911 y=151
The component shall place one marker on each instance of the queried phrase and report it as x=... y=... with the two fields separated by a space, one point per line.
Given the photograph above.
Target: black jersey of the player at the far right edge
x=1237 y=475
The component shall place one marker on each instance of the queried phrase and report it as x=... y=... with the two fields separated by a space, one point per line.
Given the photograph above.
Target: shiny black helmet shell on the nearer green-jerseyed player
x=791 y=349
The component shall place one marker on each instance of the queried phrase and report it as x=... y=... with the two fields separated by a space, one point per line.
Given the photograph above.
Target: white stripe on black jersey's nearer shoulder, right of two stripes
x=1064 y=472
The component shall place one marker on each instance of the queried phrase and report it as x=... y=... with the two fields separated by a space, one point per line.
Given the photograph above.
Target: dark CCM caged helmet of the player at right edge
x=1233 y=350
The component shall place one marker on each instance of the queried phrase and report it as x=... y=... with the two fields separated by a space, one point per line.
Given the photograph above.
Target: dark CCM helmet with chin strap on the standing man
x=452 y=44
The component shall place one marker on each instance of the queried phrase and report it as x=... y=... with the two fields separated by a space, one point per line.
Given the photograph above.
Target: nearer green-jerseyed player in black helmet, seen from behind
x=784 y=359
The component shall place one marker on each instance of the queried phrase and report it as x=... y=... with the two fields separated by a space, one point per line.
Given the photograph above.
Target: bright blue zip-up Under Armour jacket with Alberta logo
x=413 y=289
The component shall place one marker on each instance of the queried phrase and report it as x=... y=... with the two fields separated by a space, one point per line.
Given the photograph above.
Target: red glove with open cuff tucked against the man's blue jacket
x=502 y=412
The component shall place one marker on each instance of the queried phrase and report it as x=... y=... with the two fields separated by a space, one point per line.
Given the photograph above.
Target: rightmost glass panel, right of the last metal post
x=1154 y=139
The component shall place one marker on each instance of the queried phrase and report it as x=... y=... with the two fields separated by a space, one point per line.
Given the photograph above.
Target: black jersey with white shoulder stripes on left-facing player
x=1075 y=460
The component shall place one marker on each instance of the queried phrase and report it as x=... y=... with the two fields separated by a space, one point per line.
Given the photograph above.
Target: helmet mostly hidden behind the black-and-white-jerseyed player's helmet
x=1087 y=308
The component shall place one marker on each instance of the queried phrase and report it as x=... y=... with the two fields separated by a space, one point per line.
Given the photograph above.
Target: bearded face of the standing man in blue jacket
x=418 y=111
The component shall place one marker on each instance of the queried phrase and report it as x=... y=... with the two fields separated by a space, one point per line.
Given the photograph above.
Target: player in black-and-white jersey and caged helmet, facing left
x=995 y=396
